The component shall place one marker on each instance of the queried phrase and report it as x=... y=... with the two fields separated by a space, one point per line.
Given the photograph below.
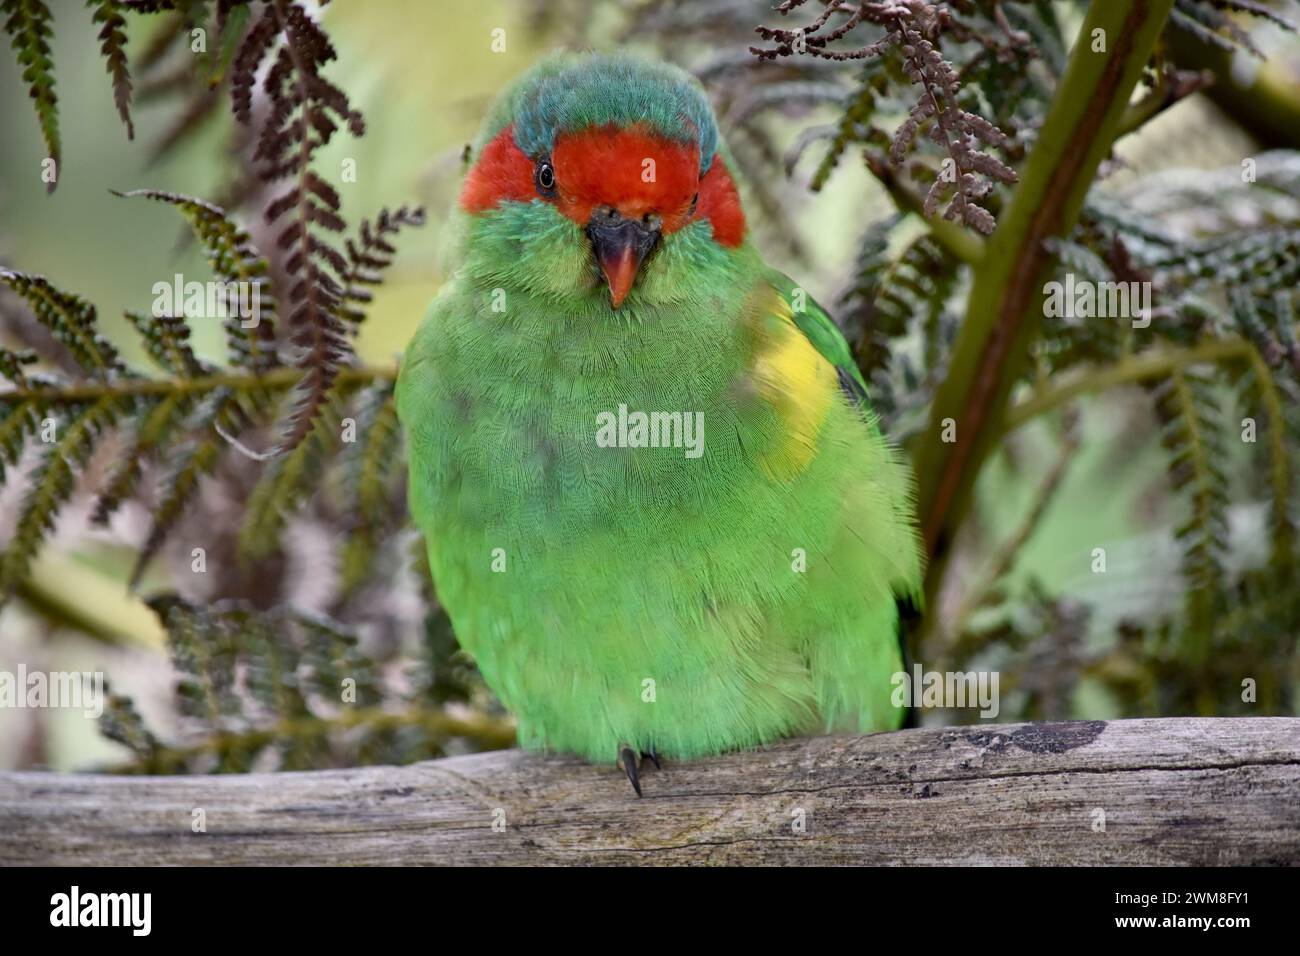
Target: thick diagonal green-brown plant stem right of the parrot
x=1006 y=308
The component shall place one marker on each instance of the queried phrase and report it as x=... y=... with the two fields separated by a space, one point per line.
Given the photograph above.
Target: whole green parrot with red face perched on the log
x=658 y=508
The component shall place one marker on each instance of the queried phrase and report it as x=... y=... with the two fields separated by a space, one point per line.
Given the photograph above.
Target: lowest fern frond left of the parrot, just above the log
x=292 y=686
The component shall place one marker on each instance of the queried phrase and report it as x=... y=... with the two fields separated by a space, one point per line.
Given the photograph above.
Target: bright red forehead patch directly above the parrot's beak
x=630 y=170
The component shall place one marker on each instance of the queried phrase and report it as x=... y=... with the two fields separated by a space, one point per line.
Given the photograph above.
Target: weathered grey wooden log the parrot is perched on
x=1173 y=791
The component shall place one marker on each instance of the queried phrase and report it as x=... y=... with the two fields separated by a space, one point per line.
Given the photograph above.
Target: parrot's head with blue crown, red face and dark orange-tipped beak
x=601 y=174
